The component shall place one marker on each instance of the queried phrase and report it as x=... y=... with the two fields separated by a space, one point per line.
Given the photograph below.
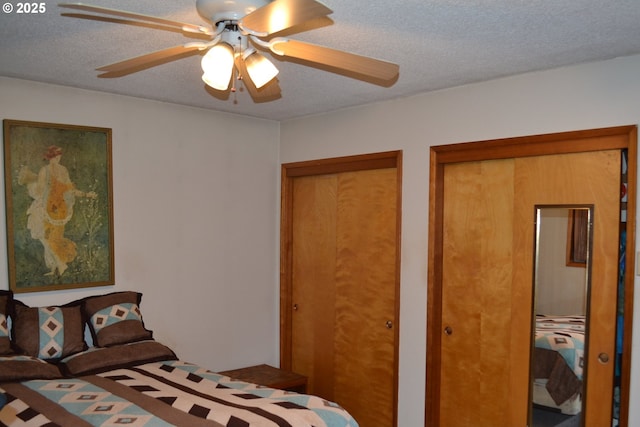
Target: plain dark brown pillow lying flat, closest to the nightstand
x=101 y=359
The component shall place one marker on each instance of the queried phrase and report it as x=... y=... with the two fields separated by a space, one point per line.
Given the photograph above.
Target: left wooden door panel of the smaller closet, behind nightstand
x=314 y=272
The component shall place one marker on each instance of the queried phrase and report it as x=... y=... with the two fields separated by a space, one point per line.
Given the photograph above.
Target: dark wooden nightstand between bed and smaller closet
x=270 y=377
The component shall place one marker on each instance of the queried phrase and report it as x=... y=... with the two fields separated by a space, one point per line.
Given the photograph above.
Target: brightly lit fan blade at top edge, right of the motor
x=282 y=14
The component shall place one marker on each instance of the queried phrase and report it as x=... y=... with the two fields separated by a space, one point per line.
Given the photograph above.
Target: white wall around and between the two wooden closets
x=583 y=97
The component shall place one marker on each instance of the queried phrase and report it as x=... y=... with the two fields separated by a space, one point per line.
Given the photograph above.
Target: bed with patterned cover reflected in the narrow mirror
x=558 y=362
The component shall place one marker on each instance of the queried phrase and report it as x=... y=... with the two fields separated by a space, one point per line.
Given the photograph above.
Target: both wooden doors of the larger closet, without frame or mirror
x=487 y=281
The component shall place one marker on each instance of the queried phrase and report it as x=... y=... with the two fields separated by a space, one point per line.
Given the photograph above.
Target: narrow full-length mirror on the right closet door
x=563 y=237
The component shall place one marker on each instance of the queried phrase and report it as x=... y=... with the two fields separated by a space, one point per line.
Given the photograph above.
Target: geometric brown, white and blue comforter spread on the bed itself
x=163 y=393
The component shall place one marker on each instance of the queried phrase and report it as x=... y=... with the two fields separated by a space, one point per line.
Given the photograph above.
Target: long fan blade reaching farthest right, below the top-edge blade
x=332 y=58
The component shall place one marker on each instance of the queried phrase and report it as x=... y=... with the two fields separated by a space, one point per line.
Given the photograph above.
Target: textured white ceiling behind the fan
x=437 y=43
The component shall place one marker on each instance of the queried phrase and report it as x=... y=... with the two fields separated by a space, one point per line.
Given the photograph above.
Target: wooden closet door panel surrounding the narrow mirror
x=584 y=178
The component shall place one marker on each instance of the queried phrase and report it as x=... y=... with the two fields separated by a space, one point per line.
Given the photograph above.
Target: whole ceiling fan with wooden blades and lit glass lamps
x=237 y=31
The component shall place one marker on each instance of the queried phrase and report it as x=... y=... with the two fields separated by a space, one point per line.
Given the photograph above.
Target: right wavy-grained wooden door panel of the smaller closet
x=366 y=294
